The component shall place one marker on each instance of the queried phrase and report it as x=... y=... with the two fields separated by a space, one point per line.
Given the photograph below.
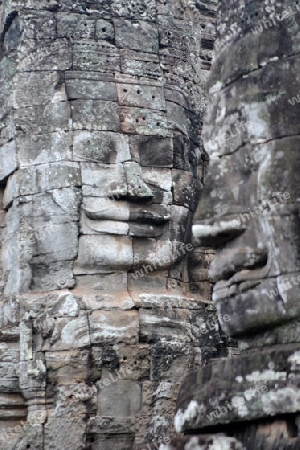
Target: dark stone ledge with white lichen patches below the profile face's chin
x=251 y=386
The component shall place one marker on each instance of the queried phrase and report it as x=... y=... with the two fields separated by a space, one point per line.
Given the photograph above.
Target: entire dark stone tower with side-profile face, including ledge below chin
x=250 y=214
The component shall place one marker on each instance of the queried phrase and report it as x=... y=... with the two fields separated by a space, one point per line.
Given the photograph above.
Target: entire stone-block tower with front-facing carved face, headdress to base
x=101 y=168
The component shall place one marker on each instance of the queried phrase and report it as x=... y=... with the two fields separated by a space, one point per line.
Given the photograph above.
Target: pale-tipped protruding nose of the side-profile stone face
x=217 y=234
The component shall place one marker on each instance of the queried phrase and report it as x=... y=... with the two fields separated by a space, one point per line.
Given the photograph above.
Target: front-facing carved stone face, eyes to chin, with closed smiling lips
x=139 y=193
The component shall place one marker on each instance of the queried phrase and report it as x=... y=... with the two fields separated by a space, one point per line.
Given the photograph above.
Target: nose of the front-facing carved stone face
x=137 y=189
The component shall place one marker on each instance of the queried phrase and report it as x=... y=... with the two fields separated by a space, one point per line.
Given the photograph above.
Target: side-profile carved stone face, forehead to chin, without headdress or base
x=250 y=207
